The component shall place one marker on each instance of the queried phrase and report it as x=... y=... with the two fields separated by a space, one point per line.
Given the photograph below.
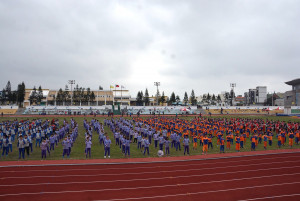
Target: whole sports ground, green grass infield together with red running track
x=247 y=175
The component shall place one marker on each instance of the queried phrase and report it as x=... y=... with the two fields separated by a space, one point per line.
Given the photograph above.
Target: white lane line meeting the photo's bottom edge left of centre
x=196 y=193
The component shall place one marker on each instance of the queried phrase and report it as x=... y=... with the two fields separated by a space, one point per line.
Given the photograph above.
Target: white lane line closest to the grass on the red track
x=149 y=167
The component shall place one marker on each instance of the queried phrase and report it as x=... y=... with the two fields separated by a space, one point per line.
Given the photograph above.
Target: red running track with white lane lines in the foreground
x=264 y=177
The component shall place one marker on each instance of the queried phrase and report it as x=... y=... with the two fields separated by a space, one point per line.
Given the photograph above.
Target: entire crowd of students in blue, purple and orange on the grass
x=167 y=134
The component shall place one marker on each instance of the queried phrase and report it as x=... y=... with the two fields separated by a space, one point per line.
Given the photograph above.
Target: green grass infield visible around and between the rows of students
x=98 y=151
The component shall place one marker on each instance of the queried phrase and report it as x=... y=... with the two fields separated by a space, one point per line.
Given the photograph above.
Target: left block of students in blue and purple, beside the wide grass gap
x=37 y=134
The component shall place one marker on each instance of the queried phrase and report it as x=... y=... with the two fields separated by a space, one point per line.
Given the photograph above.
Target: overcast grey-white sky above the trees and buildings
x=184 y=44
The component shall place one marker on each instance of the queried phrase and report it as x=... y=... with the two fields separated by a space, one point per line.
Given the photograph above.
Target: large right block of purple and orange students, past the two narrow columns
x=176 y=133
